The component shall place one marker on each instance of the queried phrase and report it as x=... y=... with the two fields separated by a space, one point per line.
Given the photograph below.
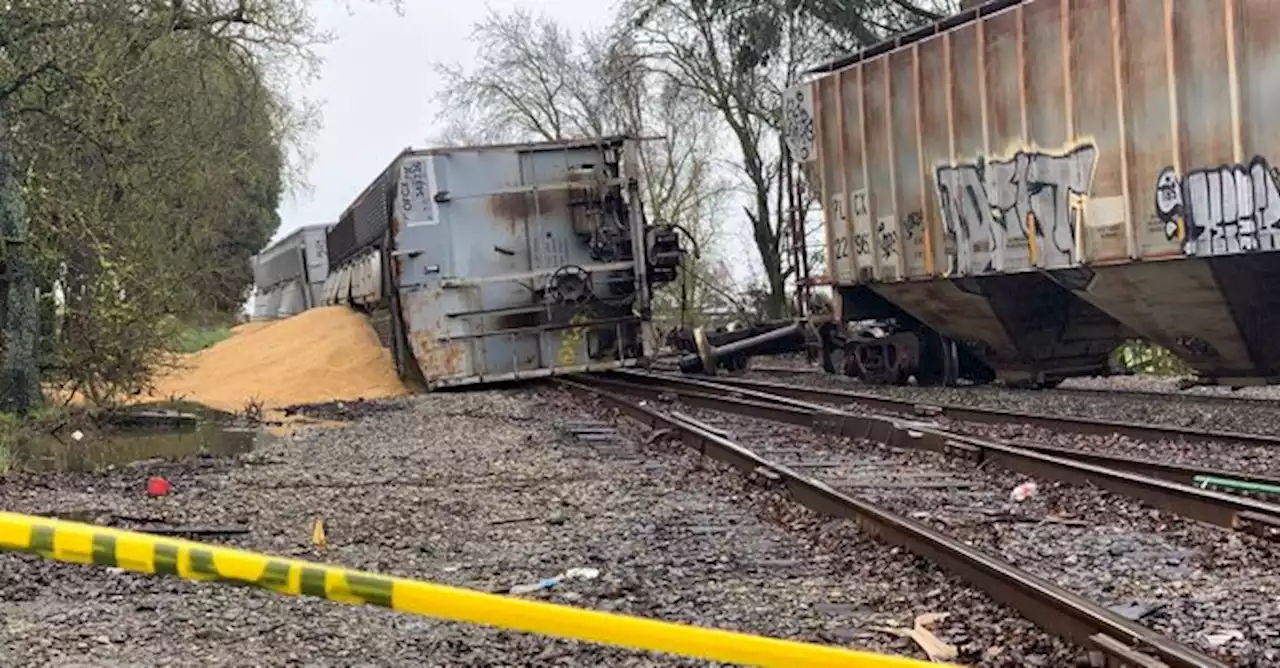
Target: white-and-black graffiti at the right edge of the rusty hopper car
x=1222 y=211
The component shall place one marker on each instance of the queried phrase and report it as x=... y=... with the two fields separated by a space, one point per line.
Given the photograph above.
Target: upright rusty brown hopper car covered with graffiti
x=1017 y=190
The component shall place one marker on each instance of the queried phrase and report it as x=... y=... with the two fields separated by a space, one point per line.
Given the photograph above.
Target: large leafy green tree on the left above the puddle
x=143 y=147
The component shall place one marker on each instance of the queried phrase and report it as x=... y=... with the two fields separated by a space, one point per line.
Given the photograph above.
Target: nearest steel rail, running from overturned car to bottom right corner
x=1055 y=610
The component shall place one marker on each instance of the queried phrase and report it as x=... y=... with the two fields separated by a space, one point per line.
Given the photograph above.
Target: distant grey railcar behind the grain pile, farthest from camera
x=290 y=274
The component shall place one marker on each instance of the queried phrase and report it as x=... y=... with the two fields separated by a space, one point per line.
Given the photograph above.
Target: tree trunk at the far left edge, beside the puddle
x=20 y=374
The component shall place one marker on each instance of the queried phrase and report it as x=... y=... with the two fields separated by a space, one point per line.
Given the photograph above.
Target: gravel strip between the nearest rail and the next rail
x=1213 y=589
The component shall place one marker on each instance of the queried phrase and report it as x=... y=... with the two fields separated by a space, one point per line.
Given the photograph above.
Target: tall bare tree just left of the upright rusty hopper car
x=740 y=56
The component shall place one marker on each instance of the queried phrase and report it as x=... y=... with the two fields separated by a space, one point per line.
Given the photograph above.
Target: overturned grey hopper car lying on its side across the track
x=505 y=263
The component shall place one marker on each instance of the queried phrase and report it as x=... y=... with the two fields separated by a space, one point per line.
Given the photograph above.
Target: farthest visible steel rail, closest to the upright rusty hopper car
x=999 y=417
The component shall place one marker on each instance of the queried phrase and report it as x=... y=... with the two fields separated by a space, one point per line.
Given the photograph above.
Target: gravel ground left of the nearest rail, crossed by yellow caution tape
x=479 y=491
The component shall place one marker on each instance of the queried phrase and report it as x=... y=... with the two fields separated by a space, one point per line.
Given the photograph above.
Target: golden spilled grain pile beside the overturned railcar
x=322 y=355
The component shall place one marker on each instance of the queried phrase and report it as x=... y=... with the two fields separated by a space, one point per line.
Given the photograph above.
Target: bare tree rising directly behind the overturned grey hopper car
x=537 y=81
